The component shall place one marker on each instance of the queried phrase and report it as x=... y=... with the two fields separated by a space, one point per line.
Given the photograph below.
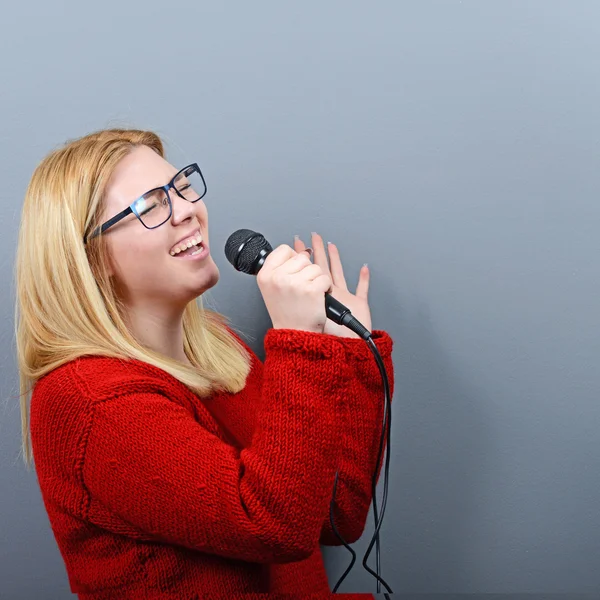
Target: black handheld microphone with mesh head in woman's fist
x=247 y=251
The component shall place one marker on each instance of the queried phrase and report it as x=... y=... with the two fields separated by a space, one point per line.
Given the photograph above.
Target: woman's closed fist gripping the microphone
x=293 y=289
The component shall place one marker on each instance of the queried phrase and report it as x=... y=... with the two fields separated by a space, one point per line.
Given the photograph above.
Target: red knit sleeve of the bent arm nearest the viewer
x=147 y=460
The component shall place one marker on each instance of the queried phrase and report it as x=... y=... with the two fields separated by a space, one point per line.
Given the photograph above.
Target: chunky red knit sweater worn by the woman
x=153 y=493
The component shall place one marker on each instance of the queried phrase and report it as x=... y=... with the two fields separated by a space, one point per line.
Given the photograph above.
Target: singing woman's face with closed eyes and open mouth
x=142 y=262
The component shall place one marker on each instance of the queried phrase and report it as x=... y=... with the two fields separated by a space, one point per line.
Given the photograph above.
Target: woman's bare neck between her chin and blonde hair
x=159 y=328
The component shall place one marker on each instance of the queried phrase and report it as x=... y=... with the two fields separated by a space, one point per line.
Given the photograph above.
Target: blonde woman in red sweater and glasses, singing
x=171 y=461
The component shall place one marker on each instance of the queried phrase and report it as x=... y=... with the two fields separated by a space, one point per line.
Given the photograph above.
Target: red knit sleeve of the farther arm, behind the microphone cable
x=360 y=438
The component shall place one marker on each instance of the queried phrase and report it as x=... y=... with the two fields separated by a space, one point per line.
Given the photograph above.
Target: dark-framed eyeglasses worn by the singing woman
x=154 y=208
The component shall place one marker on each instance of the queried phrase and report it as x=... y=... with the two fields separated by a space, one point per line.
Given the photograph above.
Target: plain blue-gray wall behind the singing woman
x=453 y=146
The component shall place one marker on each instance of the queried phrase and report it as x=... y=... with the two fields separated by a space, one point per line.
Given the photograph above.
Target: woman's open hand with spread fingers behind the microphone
x=358 y=302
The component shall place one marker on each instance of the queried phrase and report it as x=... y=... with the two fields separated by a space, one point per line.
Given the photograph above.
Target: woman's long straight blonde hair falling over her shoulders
x=66 y=304
